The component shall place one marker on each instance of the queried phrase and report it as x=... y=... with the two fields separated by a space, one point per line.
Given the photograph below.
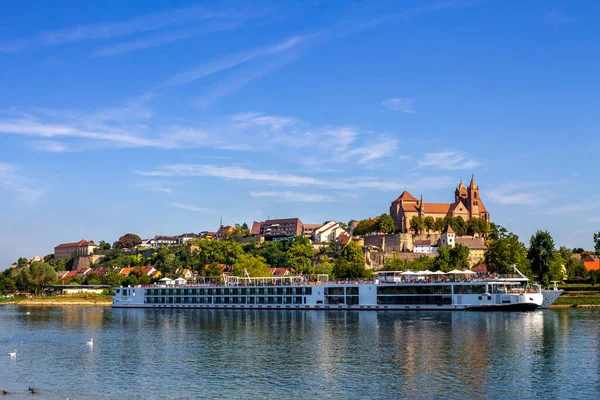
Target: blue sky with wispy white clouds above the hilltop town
x=159 y=117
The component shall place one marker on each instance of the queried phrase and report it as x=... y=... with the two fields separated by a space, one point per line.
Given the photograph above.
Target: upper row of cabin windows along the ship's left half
x=307 y=291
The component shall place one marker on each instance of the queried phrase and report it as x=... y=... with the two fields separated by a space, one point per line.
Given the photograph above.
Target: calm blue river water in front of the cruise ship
x=142 y=354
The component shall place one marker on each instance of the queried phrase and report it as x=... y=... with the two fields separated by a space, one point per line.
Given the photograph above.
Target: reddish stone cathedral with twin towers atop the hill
x=467 y=204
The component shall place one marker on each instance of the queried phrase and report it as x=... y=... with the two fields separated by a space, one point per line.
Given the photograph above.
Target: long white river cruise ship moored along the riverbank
x=390 y=291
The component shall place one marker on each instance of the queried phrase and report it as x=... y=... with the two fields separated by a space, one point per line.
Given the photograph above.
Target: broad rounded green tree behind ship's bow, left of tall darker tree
x=505 y=250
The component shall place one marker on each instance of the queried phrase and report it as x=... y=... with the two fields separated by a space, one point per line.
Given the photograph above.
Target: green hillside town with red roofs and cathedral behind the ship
x=415 y=235
